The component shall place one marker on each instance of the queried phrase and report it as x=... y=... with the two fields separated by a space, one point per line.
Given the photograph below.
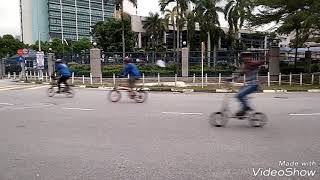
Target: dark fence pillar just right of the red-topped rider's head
x=274 y=60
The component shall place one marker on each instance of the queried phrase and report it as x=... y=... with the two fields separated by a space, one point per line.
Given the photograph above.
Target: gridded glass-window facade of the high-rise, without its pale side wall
x=73 y=19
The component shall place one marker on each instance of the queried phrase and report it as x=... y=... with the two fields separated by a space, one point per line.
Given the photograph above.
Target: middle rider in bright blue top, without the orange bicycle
x=133 y=72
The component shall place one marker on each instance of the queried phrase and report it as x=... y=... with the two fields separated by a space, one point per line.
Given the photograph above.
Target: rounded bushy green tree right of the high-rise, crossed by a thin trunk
x=109 y=32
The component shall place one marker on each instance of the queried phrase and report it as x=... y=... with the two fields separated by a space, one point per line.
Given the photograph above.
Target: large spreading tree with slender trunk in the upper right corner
x=299 y=16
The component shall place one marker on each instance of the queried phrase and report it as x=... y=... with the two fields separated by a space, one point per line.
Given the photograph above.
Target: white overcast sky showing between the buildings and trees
x=10 y=21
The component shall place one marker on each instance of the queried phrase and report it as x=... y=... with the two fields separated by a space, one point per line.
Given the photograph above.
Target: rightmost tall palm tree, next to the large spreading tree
x=236 y=12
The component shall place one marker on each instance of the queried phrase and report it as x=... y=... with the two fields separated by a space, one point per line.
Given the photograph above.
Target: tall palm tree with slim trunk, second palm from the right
x=207 y=16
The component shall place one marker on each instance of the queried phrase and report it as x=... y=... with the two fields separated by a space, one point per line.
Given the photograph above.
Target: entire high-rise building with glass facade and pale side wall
x=63 y=19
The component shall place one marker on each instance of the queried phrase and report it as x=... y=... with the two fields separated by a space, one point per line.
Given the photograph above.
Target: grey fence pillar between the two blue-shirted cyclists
x=95 y=62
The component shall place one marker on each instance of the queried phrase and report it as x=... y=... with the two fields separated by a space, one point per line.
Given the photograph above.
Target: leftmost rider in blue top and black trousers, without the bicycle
x=64 y=74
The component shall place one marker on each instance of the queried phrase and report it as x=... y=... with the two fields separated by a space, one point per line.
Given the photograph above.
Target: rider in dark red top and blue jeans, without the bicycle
x=250 y=70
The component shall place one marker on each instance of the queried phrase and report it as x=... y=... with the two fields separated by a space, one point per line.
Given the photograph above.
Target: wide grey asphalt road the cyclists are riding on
x=168 y=137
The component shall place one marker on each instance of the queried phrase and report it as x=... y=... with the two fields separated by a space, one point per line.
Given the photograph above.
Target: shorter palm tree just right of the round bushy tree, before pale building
x=155 y=26
